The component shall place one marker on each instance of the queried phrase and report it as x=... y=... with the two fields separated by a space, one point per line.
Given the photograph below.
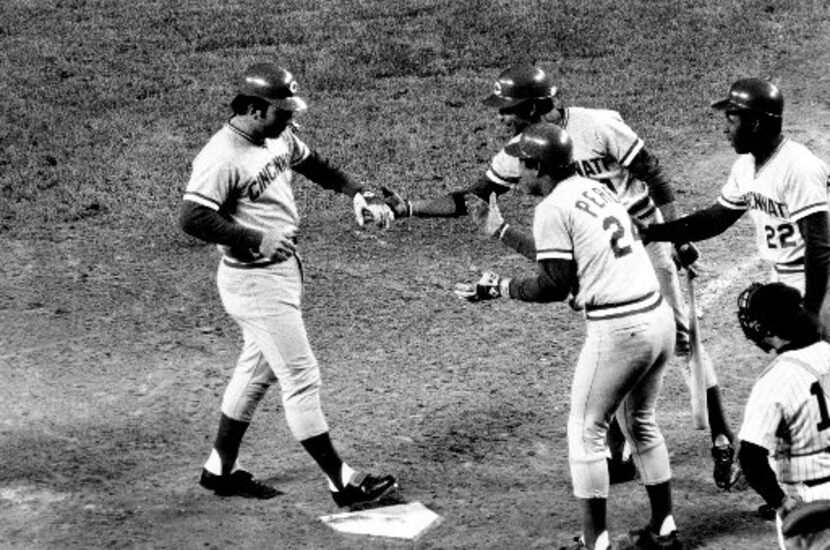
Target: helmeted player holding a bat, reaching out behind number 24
x=607 y=150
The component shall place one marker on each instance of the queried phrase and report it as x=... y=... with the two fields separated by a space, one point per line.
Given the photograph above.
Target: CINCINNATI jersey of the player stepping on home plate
x=248 y=181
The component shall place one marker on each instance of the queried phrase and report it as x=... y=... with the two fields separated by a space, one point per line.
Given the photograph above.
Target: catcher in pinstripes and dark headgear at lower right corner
x=788 y=411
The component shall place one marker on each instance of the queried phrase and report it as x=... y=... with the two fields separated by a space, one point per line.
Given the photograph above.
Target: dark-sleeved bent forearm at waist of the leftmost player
x=210 y=226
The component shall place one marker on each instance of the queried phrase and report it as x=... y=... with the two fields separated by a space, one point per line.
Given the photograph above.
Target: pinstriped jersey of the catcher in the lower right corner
x=787 y=413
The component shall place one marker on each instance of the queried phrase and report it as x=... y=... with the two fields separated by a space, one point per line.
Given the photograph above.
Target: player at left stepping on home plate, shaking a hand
x=240 y=197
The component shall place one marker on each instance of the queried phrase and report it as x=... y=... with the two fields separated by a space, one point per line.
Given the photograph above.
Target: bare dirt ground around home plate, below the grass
x=115 y=352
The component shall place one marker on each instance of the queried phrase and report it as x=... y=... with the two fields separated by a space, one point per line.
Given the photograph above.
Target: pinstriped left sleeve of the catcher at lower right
x=763 y=412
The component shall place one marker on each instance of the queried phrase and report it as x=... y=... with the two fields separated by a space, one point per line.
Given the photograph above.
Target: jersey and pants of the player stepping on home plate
x=250 y=182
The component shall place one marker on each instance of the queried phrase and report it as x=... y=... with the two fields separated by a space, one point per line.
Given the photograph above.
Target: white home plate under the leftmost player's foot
x=401 y=521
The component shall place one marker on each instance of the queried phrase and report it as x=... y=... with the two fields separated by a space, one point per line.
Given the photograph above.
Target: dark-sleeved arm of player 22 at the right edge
x=814 y=229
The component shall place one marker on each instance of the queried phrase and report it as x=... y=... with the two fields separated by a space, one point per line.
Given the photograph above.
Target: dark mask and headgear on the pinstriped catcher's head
x=773 y=309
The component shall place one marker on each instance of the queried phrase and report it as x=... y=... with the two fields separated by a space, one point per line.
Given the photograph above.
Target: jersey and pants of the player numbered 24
x=629 y=331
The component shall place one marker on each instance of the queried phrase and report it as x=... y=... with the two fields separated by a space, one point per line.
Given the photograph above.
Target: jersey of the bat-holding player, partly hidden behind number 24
x=603 y=148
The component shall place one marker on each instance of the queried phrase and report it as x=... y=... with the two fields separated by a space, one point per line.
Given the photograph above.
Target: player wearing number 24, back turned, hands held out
x=586 y=246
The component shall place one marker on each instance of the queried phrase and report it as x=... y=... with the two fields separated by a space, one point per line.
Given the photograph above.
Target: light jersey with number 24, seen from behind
x=584 y=221
